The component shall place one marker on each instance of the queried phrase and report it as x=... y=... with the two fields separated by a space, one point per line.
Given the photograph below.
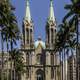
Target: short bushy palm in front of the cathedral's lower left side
x=17 y=58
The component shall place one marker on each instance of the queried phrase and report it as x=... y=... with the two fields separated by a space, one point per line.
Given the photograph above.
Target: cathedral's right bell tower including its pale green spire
x=50 y=28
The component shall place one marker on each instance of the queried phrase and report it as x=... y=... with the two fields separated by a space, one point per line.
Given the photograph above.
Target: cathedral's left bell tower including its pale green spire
x=27 y=28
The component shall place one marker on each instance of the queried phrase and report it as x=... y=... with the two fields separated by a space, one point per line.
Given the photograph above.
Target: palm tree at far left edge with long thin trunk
x=2 y=24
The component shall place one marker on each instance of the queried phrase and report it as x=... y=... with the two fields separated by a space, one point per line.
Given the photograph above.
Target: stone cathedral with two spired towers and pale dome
x=41 y=63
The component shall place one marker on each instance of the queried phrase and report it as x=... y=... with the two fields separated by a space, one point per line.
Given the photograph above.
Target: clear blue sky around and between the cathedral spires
x=39 y=13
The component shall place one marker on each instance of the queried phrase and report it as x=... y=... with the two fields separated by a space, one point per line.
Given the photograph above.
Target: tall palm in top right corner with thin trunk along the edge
x=73 y=15
